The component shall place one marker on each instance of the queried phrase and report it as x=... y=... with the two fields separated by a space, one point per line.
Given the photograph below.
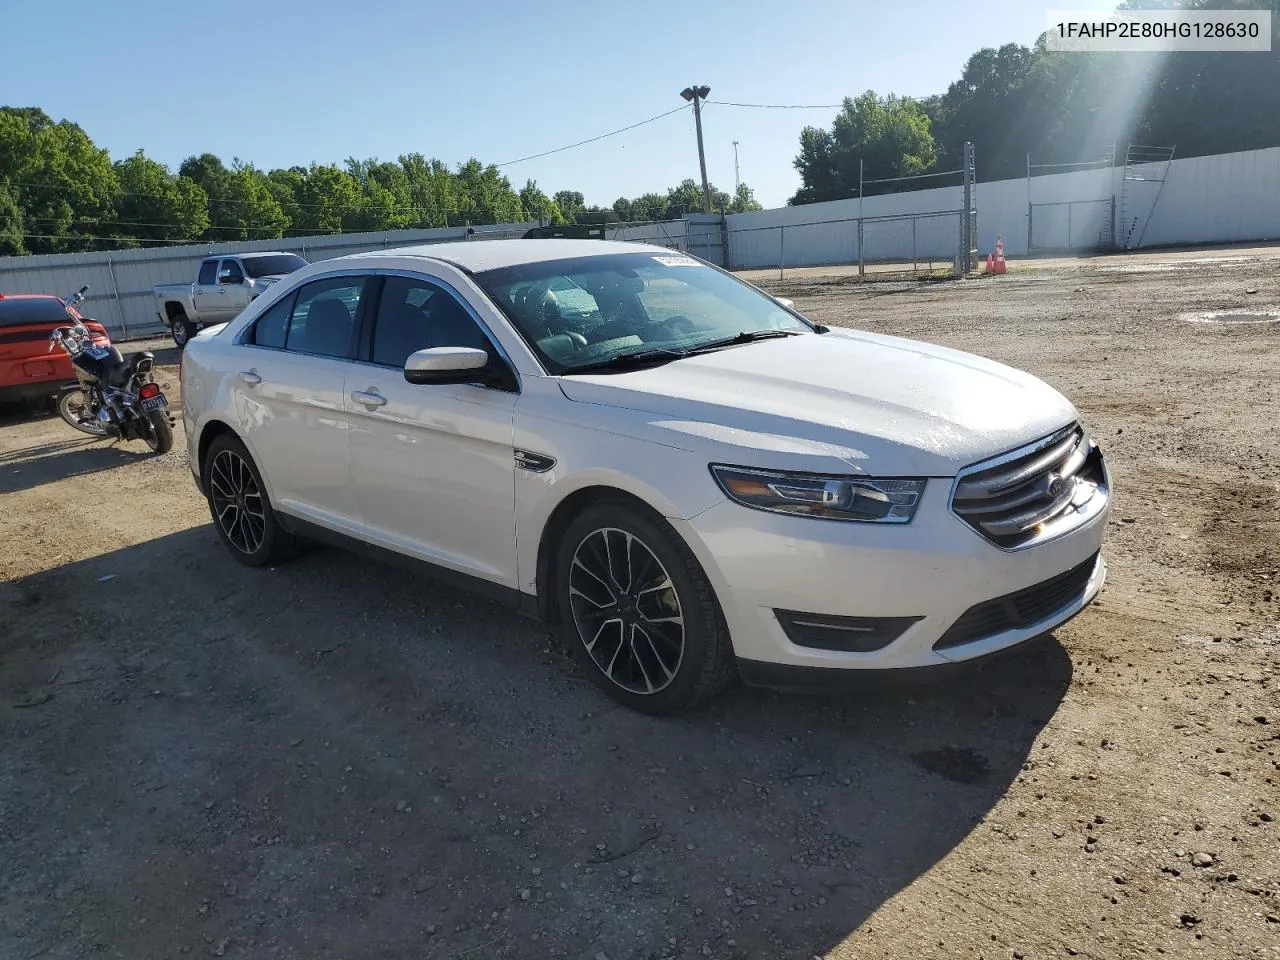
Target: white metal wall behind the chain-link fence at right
x=1227 y=198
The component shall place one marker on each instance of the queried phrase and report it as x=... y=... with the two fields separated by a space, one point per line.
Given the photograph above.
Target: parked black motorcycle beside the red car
x=113 y=396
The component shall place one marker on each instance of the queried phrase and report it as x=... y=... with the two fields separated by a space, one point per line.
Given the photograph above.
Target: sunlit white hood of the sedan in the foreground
x=884 y=405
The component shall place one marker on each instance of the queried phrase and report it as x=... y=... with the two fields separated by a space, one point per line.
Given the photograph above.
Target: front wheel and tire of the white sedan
x=706 y=664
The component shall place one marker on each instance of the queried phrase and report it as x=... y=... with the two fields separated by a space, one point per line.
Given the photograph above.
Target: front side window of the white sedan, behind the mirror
x=414 y=316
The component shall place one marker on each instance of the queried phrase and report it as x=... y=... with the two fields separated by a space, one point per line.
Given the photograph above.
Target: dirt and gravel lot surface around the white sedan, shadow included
x=339 y=760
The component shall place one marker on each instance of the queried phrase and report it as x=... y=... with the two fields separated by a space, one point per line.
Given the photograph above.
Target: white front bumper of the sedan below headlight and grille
x=934 y=569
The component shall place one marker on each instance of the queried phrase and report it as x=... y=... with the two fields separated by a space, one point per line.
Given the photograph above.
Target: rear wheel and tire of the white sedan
x=228 y=469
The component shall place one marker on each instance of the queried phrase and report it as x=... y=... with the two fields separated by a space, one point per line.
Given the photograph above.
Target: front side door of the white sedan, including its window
x=433 y=465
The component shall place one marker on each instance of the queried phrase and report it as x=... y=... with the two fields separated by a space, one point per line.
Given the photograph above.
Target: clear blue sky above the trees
x=282 y=84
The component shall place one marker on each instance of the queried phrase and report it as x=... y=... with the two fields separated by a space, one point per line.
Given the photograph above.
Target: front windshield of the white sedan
x=587 y=312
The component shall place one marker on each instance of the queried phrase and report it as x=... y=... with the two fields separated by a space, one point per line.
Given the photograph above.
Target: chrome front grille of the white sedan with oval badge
x=1036 y=492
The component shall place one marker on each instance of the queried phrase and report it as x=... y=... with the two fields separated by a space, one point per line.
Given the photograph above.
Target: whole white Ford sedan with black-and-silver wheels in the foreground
x=687 y=476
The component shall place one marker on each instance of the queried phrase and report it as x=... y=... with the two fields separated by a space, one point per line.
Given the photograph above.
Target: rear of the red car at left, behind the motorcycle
x=29 y=372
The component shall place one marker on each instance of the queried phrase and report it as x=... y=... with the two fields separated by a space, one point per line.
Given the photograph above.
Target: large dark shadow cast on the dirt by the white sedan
x=340 y=758
